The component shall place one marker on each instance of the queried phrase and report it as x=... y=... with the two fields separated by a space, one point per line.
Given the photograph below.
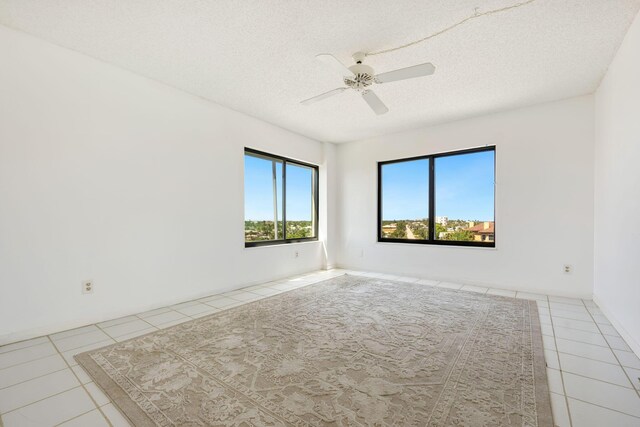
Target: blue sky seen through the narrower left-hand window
x=258 y=197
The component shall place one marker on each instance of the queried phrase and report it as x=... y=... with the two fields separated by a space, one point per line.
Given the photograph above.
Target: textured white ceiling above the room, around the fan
x=257 y=56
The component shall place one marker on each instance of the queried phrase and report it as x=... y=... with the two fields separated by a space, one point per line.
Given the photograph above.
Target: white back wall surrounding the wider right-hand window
x=544 y=199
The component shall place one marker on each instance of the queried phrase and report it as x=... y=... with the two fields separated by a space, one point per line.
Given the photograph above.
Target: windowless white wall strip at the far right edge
x=617 y=191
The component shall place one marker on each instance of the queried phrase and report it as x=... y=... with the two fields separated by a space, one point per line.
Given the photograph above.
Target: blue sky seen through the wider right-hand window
x=464 y=188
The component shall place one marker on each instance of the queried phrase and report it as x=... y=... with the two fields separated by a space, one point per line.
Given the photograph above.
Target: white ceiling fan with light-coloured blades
x=360 y=76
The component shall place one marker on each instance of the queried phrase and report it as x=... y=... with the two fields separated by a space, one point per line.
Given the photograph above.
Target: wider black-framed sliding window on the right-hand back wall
x=445 y=199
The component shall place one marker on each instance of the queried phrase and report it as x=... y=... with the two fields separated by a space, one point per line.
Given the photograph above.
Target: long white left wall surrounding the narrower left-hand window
x=109 y=176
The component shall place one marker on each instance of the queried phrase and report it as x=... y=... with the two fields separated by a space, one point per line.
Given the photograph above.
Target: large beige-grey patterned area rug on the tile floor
x=350 y=351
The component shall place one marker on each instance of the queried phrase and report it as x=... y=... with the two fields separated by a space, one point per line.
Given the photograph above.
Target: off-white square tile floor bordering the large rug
x=592 y=373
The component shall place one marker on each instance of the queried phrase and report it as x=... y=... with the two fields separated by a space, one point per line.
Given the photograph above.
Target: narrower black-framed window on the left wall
x=280 y=200
